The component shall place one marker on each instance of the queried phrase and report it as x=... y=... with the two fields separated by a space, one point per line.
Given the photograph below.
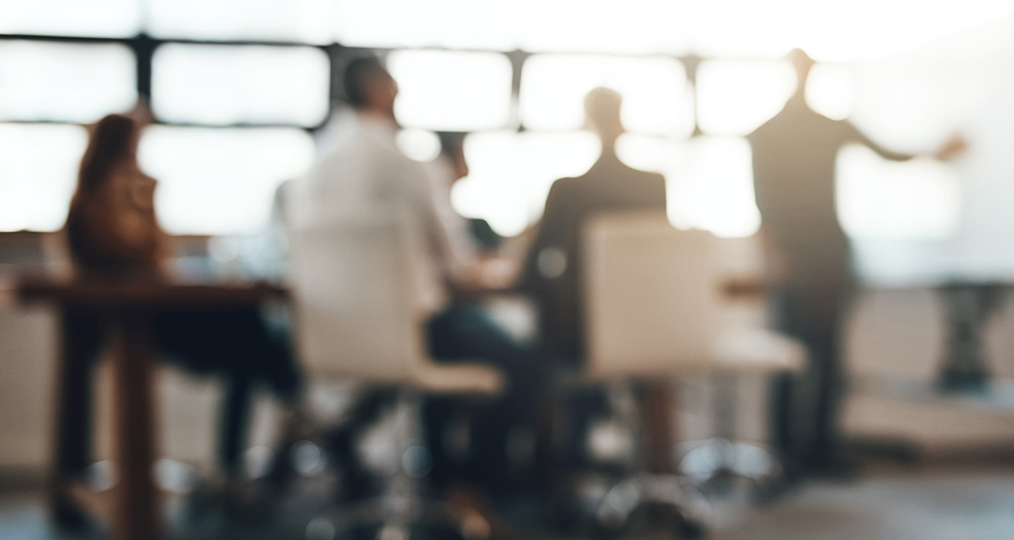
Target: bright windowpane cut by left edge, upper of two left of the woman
x=46 y=82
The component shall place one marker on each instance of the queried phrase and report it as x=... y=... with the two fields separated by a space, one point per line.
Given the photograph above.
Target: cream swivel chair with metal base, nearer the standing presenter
x=654 y=311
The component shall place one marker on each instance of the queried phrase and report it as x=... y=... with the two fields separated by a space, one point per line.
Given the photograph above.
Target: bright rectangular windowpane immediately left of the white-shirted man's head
x=227 y=85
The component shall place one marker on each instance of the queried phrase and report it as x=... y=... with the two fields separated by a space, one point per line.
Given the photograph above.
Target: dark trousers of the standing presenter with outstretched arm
x=807 y=407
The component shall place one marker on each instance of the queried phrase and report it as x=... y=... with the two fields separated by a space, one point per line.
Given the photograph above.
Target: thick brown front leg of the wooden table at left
x=135 y=508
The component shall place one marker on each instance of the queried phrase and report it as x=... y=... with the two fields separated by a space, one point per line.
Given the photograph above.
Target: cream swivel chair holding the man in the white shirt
x=358 y=320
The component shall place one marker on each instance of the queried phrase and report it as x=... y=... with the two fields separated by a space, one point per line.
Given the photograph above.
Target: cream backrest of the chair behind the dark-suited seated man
x=651 y=296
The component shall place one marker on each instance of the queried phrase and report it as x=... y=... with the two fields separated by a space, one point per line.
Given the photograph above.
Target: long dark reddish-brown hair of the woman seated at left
x=112 y=140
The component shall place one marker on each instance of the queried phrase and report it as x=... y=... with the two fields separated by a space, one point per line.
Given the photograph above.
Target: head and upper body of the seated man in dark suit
x=552 y=273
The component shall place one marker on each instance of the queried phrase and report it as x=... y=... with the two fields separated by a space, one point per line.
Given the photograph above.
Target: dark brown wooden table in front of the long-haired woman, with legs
x=128 y=306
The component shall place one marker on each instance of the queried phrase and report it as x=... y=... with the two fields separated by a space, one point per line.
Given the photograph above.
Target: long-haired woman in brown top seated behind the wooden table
x=113 y=235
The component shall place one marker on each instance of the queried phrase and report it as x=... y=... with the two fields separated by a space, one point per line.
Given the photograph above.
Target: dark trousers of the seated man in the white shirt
x=465 y=332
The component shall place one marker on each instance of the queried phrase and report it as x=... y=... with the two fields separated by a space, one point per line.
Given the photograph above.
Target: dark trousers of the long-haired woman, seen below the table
x=234 y=345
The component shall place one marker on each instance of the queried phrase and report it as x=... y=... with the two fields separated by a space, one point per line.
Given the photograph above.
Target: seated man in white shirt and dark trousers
x=365 y=171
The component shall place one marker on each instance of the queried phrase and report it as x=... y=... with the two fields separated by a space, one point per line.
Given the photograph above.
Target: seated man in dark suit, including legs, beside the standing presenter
x=552 y=272
